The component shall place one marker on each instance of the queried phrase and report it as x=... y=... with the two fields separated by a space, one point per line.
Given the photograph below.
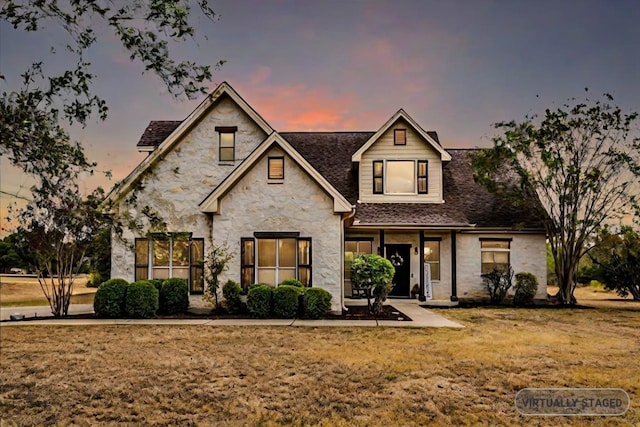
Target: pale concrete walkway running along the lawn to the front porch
x=420 y=318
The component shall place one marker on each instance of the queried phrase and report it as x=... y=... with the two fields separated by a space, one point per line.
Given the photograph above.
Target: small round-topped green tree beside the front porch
x=376 y=273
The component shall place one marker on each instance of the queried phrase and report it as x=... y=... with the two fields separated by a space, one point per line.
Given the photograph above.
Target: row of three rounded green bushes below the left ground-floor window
x=141 y=299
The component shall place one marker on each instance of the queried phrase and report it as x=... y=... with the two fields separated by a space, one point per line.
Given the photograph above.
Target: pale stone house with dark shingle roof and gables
x=304 y=204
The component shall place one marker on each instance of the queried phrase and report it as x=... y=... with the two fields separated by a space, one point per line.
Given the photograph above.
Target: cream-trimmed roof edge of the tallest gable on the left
x=179 y=131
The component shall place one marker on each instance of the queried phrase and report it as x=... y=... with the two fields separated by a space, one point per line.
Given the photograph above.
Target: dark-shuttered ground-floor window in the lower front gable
x=274 y=257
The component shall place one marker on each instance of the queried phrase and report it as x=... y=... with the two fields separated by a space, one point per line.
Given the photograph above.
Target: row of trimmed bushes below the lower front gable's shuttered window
x=285 y=301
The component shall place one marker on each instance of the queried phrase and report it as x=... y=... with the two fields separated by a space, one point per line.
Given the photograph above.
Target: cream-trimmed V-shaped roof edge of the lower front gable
x=211 y=203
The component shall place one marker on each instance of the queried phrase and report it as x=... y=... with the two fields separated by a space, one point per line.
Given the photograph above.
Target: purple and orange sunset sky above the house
x=455 y=66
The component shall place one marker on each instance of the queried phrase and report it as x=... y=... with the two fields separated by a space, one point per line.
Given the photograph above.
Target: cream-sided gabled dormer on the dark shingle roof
x=401 y=163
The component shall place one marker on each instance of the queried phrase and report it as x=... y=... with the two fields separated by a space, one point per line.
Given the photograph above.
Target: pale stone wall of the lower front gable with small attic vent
x=296 y=204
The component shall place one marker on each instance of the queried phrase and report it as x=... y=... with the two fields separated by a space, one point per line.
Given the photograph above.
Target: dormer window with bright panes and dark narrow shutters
x=400 y=177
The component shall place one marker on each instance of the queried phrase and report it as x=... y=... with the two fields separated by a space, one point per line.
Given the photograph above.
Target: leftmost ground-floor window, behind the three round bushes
x=164 y=257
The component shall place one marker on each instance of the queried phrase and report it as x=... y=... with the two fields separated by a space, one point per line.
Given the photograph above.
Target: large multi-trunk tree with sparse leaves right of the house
x=581 y=161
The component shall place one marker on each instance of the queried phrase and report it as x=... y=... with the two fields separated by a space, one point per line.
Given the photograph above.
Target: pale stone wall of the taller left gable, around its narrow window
x=177 y=183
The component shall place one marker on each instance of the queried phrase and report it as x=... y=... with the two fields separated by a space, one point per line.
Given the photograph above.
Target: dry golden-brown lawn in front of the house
x=272 y=376
